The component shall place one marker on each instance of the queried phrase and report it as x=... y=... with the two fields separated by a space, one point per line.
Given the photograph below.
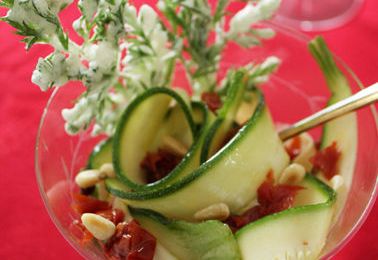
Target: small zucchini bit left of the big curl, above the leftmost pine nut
x=102 y=153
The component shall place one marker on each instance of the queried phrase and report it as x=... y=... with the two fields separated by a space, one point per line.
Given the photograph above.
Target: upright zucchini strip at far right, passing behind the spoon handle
x=343 y=130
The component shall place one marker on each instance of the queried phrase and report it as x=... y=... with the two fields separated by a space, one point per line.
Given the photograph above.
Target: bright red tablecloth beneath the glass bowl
x=26 y=232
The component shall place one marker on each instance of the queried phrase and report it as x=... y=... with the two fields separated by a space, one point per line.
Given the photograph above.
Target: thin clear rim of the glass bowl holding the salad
x=286 y=30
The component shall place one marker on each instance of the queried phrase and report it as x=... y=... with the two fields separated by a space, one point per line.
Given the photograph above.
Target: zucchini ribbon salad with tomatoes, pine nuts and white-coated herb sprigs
x=195 y=173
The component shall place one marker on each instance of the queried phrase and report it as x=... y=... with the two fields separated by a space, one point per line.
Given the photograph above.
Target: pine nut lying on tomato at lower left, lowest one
x=100 y=227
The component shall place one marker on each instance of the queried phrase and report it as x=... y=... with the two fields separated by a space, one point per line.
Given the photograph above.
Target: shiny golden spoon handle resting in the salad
x=360 y=99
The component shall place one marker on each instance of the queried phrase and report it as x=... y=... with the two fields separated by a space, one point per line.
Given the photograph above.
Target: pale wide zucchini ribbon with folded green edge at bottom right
x=297 y=232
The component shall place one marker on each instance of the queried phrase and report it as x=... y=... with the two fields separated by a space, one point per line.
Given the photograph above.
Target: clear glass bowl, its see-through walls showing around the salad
x=296 y=90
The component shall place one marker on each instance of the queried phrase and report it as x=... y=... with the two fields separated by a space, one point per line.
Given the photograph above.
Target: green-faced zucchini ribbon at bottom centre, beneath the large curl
x=206 y=240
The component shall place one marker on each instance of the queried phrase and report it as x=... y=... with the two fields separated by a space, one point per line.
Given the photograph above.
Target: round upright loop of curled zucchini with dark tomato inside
x=148 y=118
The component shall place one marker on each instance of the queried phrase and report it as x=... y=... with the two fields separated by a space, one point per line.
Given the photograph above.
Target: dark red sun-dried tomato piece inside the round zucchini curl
x=159 y=164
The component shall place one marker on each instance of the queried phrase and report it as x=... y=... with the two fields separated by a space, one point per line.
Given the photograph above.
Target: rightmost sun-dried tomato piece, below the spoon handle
x=327 y=161
